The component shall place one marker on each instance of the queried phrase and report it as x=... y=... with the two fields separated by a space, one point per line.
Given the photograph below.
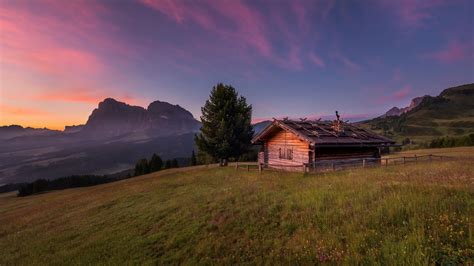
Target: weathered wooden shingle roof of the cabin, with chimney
x=324 y=133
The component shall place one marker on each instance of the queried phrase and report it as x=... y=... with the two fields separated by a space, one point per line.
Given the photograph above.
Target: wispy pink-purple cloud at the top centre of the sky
x=248 y=30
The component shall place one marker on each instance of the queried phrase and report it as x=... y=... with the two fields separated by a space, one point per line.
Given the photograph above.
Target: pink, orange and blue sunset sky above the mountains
x=59 y=59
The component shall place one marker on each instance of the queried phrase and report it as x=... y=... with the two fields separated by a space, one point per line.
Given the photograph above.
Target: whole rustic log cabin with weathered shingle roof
x=290 y=144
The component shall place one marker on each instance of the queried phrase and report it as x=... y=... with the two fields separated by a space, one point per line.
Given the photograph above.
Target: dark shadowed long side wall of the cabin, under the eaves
x=338 y=153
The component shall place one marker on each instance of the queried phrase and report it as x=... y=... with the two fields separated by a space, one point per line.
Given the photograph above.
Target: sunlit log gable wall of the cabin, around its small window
x=286 y=140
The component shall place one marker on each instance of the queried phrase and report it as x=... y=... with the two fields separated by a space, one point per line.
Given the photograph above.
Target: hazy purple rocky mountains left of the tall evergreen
x=114 y=137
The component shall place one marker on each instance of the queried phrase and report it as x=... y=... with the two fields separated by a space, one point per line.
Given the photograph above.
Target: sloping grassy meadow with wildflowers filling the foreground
x=412 y=214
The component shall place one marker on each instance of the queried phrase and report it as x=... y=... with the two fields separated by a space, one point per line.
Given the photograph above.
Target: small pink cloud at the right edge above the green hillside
x=453 y=52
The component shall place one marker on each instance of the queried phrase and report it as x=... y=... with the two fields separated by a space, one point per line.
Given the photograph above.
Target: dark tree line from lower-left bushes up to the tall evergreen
x=225 y=136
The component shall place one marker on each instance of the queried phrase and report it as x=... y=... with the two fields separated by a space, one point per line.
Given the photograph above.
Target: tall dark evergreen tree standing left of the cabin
x=226 y=124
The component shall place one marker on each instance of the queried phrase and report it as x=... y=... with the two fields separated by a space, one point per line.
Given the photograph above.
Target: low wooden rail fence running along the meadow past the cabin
x=333 y=165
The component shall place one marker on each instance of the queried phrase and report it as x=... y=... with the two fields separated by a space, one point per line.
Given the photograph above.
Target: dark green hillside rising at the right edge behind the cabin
x=449 y=114
